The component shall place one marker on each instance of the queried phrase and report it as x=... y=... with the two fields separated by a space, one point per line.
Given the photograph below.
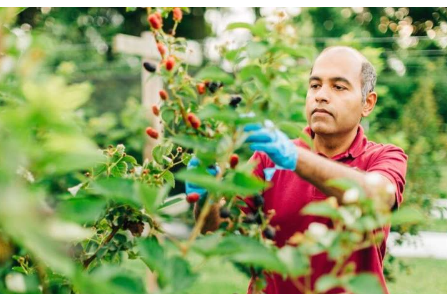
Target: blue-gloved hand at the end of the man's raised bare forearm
x=281 y=150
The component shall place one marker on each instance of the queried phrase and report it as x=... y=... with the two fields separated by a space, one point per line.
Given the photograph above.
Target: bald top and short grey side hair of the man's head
x=358 y=61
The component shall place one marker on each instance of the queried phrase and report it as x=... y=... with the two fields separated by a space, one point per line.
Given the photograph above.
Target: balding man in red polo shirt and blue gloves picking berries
x=340 y=93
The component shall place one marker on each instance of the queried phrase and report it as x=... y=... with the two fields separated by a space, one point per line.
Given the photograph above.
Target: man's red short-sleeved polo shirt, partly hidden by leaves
x=290 y=193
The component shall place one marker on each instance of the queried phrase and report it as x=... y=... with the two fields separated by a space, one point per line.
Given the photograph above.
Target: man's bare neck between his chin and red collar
x=332 y=145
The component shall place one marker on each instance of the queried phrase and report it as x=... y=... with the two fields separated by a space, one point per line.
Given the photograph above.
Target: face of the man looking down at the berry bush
x=335 y=87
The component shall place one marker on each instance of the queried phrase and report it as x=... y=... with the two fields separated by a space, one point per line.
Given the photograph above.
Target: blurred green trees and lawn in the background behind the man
x=406 y=45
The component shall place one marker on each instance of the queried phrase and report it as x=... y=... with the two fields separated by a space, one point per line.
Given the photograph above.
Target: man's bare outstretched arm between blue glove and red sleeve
x=317 y=170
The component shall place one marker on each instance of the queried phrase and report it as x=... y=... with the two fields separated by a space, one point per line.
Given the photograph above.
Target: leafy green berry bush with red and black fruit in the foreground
x=79 y=241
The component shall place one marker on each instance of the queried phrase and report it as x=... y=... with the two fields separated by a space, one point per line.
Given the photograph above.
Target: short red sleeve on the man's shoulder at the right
x=392 y=163
